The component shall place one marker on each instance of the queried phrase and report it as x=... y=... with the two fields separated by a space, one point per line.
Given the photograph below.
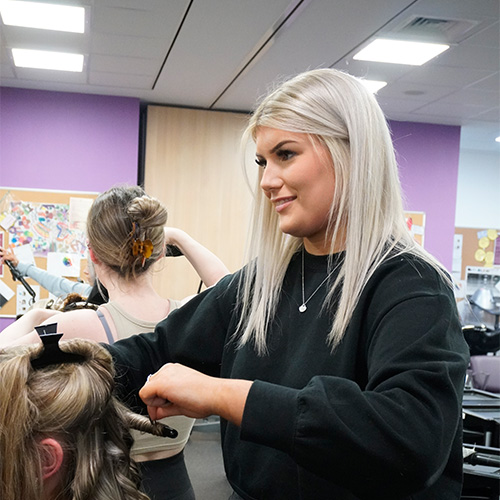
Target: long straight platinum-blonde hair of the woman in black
x=337 y=110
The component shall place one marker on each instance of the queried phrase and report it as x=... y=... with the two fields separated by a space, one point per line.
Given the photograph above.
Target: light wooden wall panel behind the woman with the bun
x=193 y=165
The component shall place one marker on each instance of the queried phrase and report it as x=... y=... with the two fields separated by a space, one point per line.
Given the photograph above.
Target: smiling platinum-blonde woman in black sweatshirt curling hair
x=335 y=359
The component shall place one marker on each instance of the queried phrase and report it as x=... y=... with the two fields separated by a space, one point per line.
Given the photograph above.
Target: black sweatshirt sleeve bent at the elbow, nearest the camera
x=399 y=428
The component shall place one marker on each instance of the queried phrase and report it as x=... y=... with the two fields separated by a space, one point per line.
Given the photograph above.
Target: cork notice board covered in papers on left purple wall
x=43 y=227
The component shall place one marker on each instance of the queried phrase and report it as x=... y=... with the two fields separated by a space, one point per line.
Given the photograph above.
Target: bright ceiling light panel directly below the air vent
x=400 y=52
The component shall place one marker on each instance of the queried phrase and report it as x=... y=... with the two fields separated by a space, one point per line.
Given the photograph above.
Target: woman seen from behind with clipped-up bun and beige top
x=127 y=235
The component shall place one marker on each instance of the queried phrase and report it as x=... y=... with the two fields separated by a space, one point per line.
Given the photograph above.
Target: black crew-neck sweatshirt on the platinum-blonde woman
x=379 y=418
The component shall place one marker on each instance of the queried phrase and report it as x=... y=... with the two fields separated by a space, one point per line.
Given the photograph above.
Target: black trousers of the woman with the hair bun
x=166 y=479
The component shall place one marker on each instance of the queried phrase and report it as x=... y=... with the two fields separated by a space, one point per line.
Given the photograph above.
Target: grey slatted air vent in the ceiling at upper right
x=435 y=29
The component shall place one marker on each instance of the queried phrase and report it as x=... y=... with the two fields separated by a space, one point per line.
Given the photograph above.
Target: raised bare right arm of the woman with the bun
x=208 y=266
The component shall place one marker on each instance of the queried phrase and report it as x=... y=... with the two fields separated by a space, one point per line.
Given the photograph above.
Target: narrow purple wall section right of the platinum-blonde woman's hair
x=428 y=159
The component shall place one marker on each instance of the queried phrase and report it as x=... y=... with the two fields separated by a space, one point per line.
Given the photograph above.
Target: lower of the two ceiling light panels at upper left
x=41 y=59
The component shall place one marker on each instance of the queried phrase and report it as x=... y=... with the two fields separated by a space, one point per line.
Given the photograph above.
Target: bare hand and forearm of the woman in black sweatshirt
x=178 y=390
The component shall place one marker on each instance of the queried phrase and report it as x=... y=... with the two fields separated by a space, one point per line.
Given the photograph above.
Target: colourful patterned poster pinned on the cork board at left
x=46 y=228
